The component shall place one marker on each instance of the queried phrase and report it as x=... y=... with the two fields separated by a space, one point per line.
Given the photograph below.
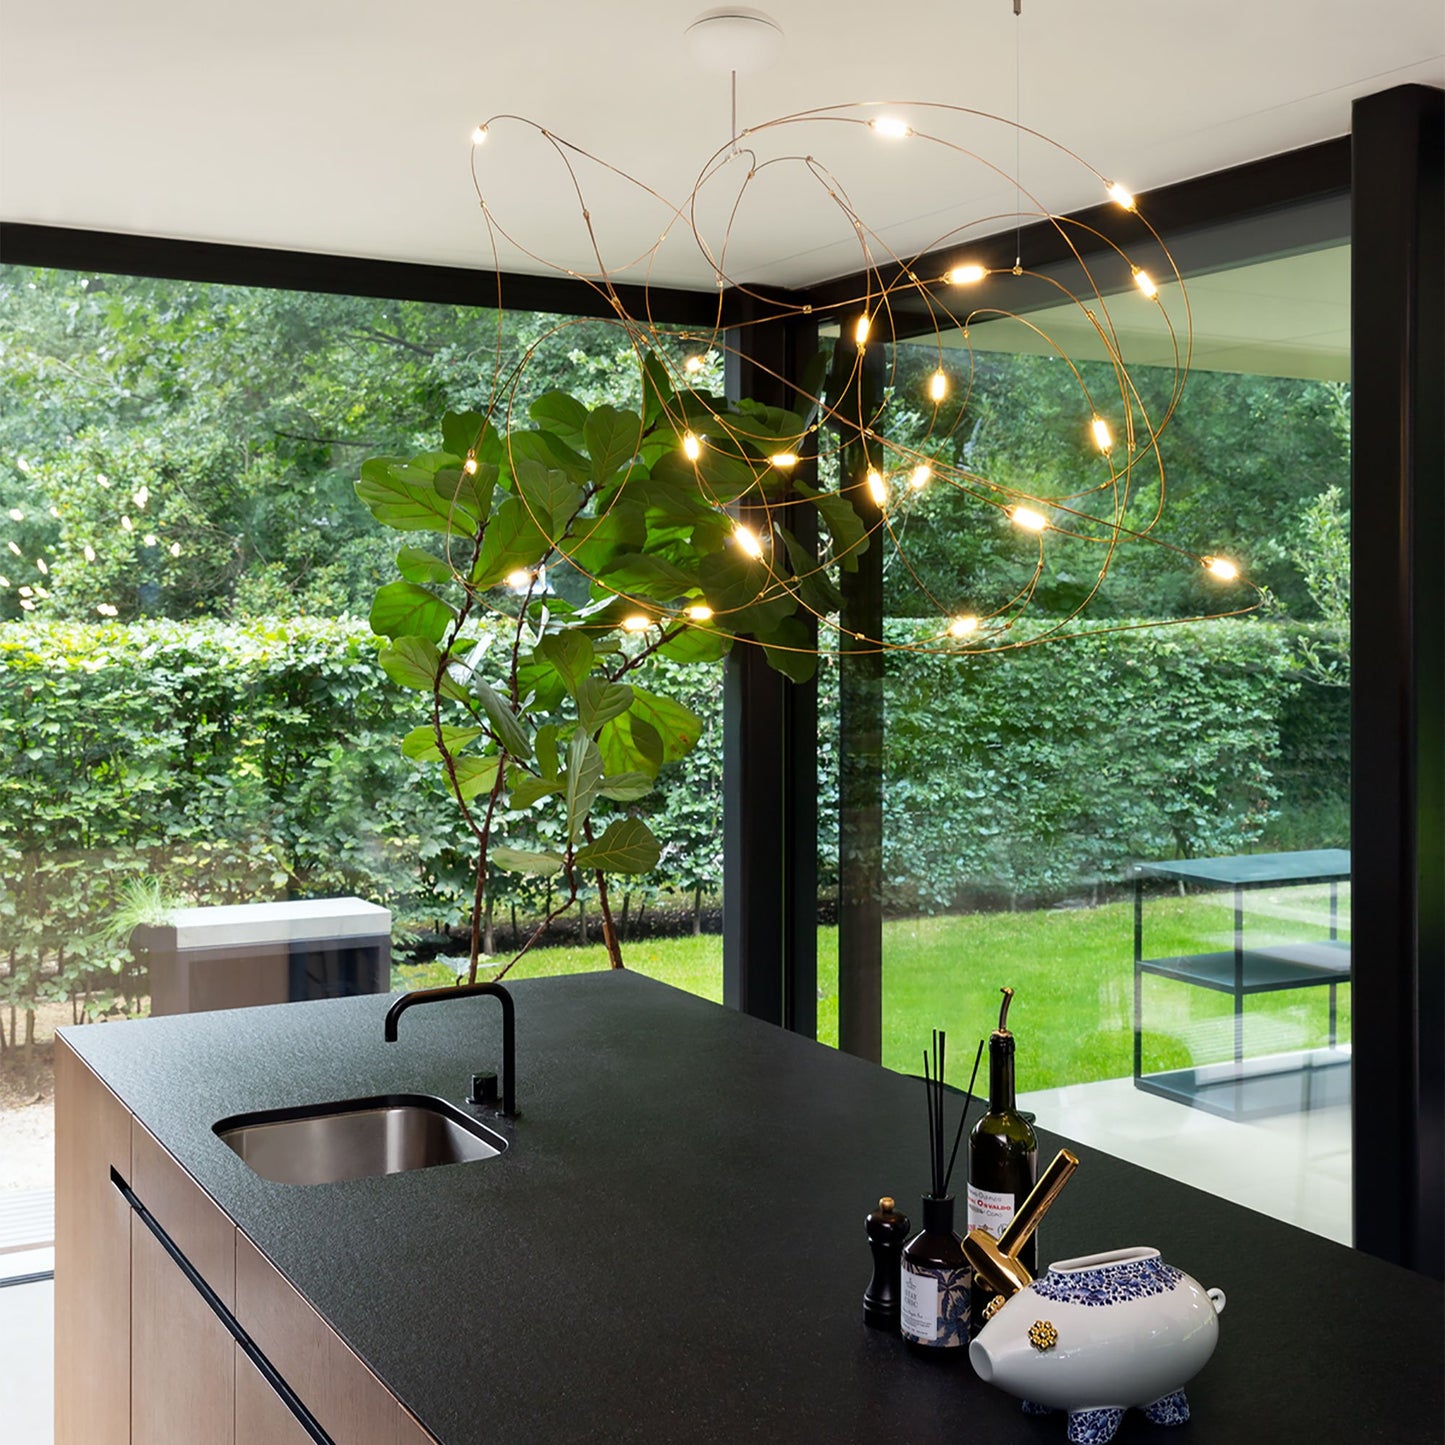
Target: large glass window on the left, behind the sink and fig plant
x=191 y=707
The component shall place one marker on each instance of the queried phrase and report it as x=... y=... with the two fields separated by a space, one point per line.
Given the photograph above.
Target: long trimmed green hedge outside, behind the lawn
x=242 y=762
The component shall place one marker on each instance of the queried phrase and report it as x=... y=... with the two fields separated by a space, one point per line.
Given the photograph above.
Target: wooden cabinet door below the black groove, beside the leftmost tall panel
x=183 y=1359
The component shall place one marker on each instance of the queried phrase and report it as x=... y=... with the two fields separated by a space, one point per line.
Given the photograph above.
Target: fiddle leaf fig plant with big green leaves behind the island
x=554 y=558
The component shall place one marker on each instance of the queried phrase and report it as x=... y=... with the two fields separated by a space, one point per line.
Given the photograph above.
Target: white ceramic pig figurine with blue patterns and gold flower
x=1100 y=1334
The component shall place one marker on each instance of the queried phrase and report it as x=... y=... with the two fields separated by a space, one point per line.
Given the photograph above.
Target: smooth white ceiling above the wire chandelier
x=345 y=129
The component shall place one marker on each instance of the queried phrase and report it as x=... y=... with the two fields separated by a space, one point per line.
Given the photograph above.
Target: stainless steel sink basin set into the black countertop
x=358 y=1138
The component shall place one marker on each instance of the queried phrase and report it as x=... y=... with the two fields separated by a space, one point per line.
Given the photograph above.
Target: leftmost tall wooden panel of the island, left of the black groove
x=92 y=1259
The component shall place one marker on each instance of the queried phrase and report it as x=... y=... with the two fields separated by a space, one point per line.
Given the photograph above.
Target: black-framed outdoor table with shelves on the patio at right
x=1252 y=1087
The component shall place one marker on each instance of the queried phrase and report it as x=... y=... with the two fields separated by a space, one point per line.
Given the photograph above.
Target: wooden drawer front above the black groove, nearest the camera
x=348 y=1401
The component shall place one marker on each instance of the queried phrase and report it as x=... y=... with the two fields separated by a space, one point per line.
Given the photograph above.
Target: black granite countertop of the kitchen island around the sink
x=671 y=1249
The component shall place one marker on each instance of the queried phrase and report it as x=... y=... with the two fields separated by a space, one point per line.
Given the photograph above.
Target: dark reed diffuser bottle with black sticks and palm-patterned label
x=937 y=1281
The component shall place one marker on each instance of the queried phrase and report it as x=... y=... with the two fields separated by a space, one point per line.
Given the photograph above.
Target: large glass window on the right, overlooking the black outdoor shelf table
x=1142 y=829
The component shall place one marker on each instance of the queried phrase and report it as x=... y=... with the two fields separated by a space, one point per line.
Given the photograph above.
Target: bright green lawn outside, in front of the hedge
x=1071 y=972
